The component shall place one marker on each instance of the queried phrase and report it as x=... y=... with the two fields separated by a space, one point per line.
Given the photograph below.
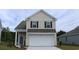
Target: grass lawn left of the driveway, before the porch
x=3 y=46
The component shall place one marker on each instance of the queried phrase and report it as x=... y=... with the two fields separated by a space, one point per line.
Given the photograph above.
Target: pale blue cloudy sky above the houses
x=67 y=19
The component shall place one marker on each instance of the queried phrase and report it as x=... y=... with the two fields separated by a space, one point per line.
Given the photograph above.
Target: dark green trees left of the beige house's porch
x=7 y=36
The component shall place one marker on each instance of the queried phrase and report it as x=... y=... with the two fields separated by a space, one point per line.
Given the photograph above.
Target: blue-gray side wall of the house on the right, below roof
x=70 y=40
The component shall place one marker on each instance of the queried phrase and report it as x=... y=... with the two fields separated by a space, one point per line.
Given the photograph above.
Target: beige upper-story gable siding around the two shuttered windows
x=40 y=17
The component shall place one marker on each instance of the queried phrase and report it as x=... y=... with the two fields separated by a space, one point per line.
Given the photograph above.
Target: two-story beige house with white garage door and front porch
x=37 y=30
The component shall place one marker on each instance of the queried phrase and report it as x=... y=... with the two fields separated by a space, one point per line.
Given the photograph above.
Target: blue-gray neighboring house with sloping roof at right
x=71 y=37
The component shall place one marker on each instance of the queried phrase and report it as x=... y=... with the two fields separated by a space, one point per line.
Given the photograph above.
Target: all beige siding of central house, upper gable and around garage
x=41 y=18
